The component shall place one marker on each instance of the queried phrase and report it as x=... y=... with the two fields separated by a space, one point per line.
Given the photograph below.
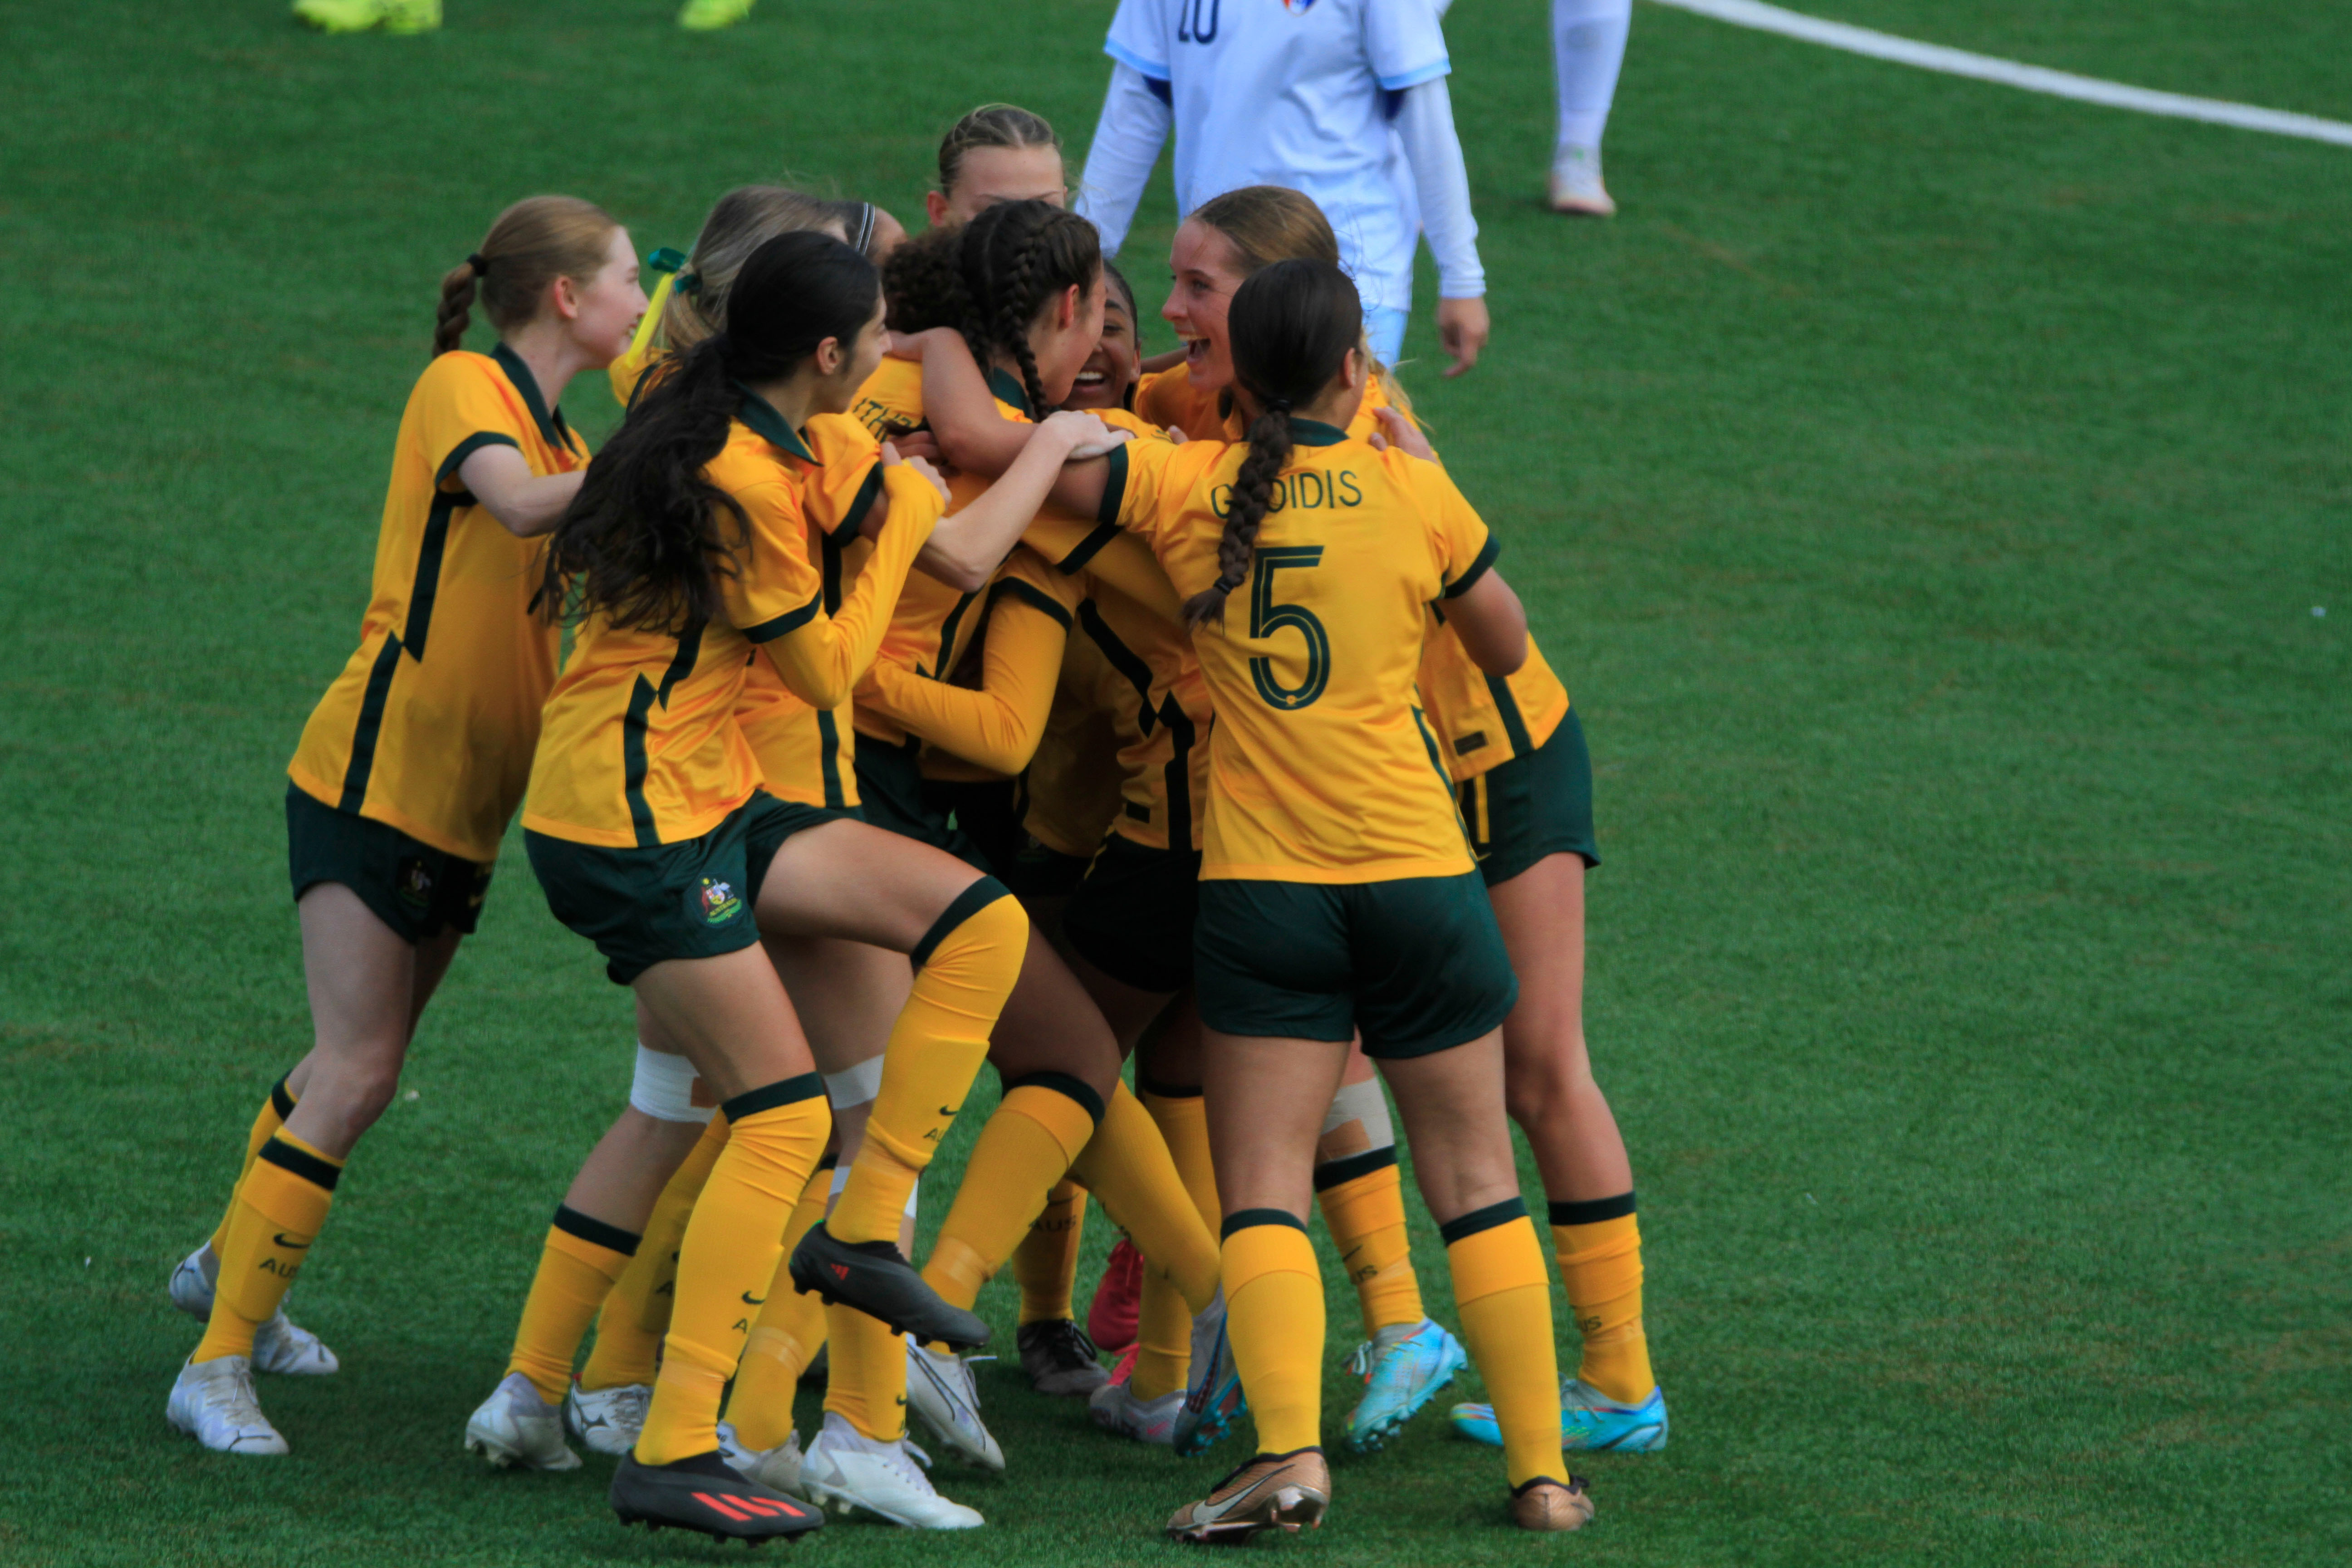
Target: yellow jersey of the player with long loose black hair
x=643 y=744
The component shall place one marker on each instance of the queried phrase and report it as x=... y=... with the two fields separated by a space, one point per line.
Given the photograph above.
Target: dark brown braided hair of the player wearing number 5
x=1292 y=328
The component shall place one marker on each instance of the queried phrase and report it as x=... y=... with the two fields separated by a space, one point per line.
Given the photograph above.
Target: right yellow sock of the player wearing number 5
x=1506 y=1308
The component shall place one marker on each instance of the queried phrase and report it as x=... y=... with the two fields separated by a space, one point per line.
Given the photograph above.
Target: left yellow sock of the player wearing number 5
x=1276 y=1325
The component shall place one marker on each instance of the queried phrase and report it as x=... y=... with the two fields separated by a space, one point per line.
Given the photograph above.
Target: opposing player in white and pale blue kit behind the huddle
x=1304 y=95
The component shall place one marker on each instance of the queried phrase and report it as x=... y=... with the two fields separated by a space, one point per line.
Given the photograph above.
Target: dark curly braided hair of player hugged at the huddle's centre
x=994 y=279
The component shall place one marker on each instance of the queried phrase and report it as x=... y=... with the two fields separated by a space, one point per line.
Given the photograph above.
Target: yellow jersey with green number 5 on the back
x=1321 y=768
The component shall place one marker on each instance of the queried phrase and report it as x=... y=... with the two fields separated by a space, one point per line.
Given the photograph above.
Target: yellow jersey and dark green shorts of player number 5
x=1337 y=885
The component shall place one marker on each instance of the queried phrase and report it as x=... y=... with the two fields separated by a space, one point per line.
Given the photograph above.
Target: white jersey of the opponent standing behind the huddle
x=1292 y=93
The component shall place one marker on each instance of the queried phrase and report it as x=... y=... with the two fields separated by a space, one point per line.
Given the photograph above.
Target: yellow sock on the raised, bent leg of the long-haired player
x=965 y=967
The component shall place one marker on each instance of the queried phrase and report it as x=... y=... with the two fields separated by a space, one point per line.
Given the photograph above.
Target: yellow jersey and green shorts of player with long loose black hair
x=650 y=819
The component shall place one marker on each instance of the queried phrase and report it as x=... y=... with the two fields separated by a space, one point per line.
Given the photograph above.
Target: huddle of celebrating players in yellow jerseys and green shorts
x=916 y=681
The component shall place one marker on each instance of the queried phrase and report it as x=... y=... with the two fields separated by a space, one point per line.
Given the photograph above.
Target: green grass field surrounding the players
x=1925 y=490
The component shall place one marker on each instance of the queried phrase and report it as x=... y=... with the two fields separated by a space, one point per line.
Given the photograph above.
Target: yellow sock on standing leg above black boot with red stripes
x=730 y=1259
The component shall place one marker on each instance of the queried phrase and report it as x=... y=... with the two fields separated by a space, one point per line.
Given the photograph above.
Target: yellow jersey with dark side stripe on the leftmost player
x=434 y=718
